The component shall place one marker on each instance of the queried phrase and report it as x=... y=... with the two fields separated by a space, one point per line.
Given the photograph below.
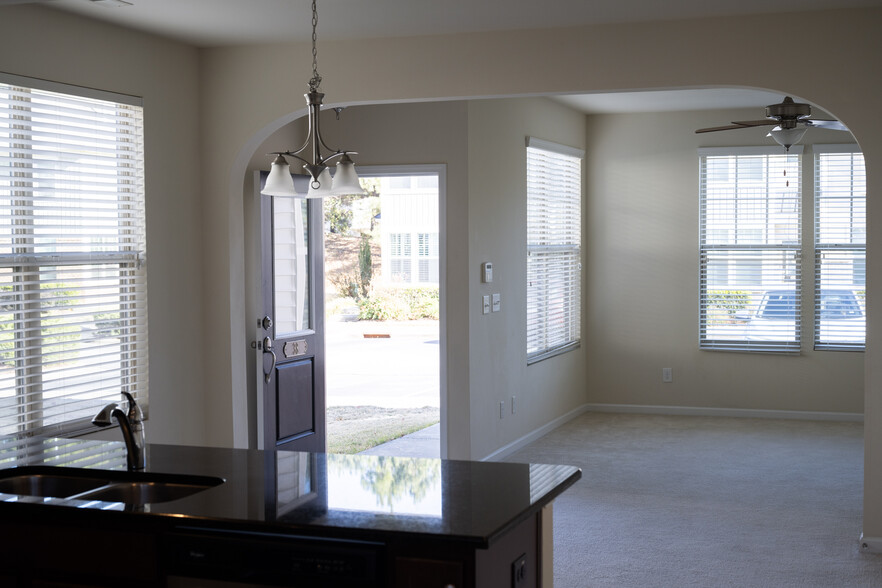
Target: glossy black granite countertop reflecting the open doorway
x=312 y=494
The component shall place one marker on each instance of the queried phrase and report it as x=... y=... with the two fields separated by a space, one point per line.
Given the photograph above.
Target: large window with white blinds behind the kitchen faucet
x=73 y=292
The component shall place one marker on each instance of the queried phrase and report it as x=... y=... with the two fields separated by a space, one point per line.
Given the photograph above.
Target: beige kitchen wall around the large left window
x=55 y=46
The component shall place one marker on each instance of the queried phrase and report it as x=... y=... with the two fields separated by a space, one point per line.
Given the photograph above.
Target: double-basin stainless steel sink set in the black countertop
x=137 y=488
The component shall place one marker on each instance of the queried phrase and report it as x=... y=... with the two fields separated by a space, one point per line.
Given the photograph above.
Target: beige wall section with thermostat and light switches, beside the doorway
x=497 y=213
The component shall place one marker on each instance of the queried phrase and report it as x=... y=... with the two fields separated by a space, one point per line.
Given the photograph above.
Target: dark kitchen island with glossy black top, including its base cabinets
x=272 y=518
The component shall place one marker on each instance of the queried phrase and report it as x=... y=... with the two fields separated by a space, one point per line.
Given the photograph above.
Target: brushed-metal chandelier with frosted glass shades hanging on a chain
x=345 y=180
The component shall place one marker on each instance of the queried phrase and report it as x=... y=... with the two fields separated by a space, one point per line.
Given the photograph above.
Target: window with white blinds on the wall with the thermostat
x=554 y=248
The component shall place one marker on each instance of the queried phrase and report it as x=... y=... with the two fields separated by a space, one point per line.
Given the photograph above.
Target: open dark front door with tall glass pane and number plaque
x=291 y=325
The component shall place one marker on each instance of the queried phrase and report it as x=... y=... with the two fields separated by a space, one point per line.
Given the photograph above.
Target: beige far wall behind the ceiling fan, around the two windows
x=642 y=267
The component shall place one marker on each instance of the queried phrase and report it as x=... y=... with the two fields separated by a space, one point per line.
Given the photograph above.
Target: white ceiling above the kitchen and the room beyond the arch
x=214 y=23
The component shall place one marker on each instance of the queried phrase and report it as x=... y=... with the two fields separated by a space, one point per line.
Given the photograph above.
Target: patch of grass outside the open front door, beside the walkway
x=352 y=429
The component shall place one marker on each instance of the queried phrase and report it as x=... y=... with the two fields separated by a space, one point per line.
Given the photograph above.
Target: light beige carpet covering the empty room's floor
x=700 y=501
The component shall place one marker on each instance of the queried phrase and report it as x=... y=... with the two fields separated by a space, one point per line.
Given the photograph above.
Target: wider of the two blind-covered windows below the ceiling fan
x=750 y=242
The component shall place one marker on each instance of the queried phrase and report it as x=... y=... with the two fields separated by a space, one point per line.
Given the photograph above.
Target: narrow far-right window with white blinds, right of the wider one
x=840 y=247
